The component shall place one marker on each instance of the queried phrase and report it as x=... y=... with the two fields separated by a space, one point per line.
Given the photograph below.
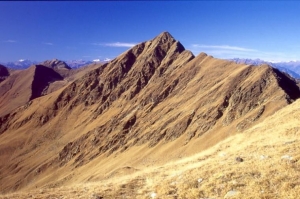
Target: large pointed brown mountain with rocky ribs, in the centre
x=154 y=103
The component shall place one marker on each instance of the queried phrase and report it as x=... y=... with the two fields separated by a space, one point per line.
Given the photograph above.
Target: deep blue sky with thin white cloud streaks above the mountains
x=38 y=31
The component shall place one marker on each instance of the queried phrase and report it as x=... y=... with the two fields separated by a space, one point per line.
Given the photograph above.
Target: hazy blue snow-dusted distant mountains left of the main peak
x=25 y=63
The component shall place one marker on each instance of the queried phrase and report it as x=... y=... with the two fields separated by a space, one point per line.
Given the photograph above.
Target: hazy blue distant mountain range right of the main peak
x=292 y=67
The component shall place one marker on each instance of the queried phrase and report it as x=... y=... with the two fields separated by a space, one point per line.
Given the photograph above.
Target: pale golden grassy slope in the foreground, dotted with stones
x=270 y=169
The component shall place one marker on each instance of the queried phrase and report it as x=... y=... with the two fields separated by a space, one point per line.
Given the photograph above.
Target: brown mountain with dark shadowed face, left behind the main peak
x=22 y=86
